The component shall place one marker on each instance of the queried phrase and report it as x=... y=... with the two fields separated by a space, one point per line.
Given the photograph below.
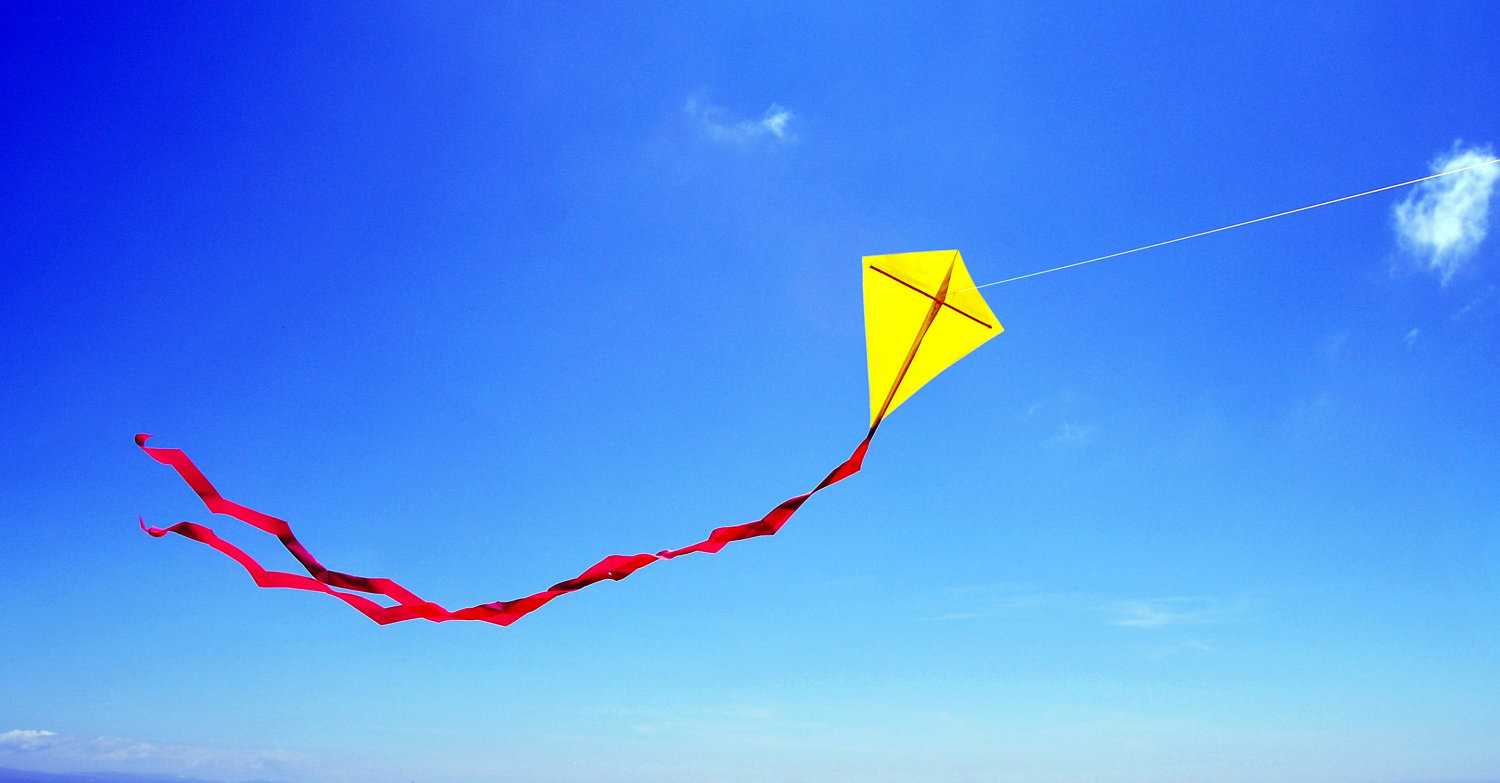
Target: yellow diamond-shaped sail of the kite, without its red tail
x=922 y=314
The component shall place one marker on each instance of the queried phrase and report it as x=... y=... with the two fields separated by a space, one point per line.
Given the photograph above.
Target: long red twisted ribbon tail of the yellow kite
x=410 y=605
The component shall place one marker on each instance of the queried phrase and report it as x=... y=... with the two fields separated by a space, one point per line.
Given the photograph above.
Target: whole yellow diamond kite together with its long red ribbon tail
x=922 y=314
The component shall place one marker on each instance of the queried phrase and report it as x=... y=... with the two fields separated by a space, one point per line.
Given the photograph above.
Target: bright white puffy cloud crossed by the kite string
x=1444 y=221
